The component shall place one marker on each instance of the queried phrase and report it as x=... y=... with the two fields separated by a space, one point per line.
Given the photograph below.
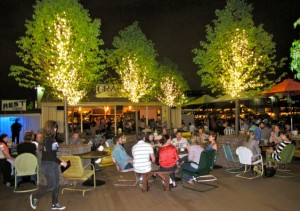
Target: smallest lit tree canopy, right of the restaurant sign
x=171 y=87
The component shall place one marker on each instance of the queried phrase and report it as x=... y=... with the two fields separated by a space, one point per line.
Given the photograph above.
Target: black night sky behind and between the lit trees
x=174 y=26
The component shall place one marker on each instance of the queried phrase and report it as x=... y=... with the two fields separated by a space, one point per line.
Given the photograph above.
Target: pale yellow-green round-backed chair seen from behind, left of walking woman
x=26 y=164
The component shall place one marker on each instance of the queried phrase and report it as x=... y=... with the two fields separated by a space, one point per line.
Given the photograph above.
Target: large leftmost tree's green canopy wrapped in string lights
x=61 y=50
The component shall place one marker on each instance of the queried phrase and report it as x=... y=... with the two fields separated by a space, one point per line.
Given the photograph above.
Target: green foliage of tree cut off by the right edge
x=295 y=54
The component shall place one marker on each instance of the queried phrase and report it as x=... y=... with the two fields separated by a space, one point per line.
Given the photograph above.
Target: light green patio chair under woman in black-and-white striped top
x=286 y=157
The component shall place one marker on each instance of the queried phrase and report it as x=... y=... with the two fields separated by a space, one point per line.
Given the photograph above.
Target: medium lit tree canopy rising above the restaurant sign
x=134 y=60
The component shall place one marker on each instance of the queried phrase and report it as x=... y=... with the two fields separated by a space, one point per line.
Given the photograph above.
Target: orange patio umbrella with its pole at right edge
x=287 y=88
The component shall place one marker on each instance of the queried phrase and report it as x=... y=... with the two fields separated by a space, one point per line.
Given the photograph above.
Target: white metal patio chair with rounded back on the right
x=247 y=159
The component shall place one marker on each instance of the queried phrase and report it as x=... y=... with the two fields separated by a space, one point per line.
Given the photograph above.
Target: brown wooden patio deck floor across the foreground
x=232 y=194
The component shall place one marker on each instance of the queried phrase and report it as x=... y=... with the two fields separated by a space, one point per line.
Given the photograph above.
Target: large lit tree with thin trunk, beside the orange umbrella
x=237 y=56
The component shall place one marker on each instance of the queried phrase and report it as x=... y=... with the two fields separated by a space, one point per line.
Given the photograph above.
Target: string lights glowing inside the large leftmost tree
x=63 y=69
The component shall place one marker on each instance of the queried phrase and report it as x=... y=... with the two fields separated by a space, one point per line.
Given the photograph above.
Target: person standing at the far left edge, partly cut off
x=5 y=165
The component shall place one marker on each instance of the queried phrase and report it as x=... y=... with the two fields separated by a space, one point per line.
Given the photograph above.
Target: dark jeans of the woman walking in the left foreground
x=50 y=169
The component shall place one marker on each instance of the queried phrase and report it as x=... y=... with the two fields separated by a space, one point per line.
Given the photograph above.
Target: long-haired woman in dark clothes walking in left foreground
x=50 y=168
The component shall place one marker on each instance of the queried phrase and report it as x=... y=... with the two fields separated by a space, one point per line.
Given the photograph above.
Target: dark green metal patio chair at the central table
x=201 y=176
